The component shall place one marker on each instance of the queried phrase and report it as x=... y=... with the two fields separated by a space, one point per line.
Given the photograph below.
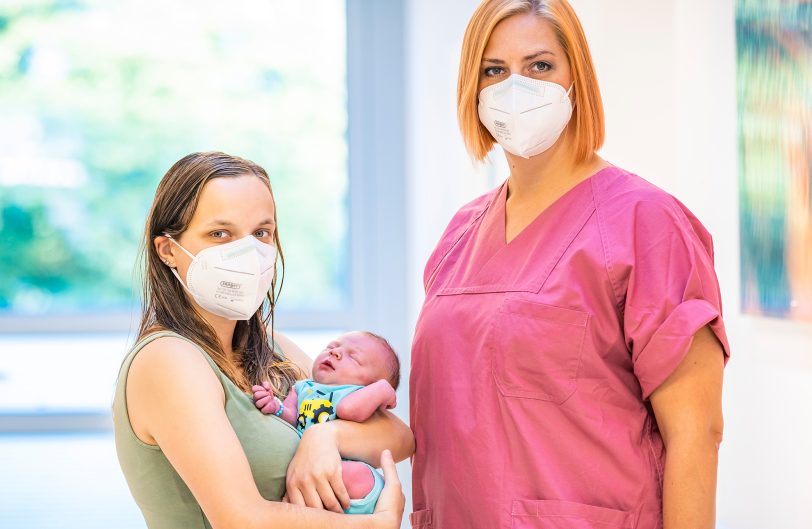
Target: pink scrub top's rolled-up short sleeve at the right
x=672 y=291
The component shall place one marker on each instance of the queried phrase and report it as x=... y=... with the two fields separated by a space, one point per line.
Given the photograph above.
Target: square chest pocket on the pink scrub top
x=537 y=350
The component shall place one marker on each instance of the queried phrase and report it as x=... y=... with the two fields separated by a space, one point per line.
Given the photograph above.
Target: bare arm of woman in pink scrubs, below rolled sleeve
x=688 y=407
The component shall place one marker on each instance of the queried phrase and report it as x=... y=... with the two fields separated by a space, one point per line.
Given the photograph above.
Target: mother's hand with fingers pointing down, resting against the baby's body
x=314 y=474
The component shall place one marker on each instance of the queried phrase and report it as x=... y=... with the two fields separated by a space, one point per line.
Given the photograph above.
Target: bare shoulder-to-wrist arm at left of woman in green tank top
x=214 y=466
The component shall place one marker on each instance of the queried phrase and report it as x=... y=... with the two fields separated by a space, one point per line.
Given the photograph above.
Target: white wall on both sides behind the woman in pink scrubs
x=667 y=72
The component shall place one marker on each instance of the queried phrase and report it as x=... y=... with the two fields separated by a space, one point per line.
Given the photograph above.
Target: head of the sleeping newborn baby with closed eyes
x=358 y=357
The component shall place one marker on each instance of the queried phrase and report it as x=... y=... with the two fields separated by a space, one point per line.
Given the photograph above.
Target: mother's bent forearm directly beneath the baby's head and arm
x=365 y=441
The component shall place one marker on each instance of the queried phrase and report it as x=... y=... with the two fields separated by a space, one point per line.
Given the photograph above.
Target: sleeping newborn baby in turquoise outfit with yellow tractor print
x=354 y=376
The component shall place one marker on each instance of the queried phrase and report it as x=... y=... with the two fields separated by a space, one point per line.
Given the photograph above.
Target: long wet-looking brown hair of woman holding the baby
x=166 y=305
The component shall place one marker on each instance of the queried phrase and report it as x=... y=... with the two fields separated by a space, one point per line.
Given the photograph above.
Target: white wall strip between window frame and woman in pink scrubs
x=439 y=174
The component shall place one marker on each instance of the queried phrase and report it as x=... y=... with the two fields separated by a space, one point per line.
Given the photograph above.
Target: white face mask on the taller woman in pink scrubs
x=526 y=116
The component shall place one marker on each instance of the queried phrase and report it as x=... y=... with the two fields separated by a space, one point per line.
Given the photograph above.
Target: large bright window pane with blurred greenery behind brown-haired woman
x=100 y=97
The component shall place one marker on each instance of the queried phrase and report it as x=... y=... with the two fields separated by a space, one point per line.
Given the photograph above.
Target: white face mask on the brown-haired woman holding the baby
x=230 y=280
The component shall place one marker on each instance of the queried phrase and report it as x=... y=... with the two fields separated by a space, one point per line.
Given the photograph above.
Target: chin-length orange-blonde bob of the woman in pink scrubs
x=587 y=123
